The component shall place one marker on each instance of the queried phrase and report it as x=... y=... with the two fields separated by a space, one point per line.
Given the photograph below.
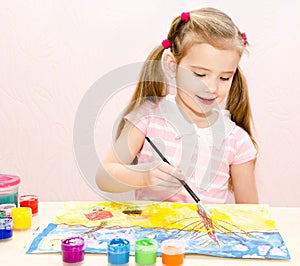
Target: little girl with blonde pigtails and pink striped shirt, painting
x=211 y=148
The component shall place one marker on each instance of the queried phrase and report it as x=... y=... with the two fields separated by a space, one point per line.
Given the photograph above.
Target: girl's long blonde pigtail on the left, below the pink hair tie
x=151 y=85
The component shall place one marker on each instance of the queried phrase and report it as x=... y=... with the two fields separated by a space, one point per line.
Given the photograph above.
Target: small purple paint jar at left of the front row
x=72 y=250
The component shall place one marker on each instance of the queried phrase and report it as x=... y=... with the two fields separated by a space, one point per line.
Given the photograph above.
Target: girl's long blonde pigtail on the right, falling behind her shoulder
x=238 y=103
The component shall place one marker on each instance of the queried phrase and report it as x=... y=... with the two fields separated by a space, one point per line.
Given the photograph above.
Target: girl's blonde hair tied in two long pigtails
x=206 y=25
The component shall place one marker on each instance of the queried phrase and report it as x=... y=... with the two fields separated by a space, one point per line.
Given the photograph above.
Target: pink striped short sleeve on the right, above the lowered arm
x=244 y=148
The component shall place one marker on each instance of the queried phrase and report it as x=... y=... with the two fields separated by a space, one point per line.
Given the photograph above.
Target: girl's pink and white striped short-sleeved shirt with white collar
x=203 y=154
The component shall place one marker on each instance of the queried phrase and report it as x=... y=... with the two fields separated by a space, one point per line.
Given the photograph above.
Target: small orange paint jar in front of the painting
x=172 y=252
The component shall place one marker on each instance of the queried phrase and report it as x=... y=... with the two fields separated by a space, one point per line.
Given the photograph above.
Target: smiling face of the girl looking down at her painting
x=204 y=77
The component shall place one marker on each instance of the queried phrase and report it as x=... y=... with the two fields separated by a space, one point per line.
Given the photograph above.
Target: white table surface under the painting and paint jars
x=12 y=252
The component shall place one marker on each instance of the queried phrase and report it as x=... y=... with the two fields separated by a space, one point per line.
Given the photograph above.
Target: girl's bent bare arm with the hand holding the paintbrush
x=116 y=172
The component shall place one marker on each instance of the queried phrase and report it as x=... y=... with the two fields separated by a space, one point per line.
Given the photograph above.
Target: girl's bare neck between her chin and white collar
x=201 y=120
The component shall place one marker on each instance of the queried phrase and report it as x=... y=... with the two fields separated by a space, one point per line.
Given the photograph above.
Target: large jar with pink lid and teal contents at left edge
x=9 y=188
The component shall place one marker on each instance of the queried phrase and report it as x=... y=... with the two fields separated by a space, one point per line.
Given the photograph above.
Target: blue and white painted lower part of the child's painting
x=263 y=245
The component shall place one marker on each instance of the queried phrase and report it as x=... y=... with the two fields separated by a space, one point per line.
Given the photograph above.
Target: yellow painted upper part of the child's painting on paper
x=233 y=217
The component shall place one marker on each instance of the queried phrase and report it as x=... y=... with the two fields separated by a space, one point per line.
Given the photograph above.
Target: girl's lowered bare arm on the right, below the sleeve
x=243 y=182
